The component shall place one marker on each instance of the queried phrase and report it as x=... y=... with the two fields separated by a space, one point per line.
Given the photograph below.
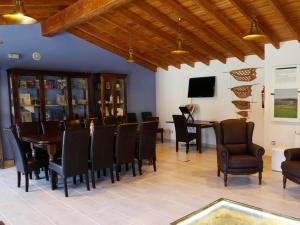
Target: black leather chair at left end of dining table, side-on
x=23 y=164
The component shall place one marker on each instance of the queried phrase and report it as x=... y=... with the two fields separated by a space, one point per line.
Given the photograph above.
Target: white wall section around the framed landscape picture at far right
x=281 y=132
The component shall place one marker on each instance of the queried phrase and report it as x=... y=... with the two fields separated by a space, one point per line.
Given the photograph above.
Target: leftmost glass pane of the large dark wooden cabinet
x=28 y=90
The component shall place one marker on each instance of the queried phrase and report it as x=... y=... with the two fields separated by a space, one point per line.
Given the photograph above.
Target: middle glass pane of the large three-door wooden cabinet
x=56 y=96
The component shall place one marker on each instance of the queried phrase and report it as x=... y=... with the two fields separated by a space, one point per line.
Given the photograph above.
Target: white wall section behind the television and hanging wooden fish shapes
x=172 y=89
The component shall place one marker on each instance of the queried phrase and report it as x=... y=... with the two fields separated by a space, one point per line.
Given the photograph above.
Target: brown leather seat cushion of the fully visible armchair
x=242 y=161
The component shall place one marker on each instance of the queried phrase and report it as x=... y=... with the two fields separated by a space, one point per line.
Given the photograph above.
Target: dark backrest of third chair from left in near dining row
x=126 y=142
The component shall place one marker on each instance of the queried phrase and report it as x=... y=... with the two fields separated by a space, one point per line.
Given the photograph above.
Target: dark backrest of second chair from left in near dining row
x=102 y=147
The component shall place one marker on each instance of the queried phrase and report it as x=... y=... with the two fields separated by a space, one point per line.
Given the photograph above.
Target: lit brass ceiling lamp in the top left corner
x=18 y=16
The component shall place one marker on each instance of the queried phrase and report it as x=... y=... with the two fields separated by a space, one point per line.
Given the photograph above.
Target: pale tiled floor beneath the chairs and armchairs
x=182 y=184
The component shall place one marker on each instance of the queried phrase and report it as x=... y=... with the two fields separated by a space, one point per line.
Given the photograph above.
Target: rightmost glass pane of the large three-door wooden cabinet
x=80 y=97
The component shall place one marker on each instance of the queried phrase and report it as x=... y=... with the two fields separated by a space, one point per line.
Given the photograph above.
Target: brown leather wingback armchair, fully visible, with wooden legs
x=236 y=154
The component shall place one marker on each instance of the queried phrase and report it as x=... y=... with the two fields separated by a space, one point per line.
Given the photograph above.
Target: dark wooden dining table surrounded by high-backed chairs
x=50 y=142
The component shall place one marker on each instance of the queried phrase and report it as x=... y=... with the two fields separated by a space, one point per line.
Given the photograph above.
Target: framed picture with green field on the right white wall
x=286 y=102
